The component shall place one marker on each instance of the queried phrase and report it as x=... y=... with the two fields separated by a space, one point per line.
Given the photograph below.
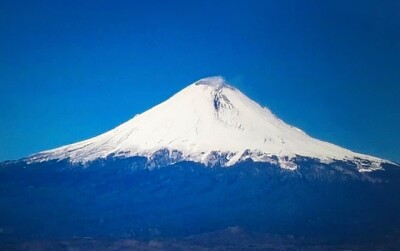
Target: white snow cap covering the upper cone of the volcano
x=206 y=119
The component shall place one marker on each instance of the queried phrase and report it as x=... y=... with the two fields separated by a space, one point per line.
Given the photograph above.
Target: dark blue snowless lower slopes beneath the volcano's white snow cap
x=120 y=199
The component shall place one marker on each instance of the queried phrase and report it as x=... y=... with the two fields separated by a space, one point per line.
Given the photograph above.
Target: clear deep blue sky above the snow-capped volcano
x=70 y=70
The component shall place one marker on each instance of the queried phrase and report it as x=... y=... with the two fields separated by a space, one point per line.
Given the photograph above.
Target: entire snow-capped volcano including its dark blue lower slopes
x=208 y=168
